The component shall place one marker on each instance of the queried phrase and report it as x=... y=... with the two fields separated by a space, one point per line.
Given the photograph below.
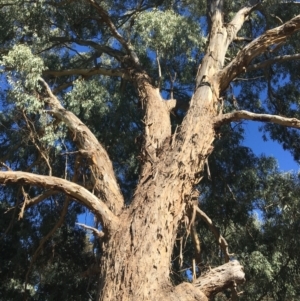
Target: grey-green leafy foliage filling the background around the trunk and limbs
x=253 y=204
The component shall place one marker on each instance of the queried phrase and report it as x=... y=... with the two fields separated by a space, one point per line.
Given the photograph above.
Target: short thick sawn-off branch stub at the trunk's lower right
x=220 y=278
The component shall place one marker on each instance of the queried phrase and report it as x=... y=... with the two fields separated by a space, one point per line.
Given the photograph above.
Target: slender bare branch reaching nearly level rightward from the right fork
x=245 y=115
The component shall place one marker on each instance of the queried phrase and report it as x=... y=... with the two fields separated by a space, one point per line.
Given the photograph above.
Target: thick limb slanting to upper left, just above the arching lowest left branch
x=102 y=173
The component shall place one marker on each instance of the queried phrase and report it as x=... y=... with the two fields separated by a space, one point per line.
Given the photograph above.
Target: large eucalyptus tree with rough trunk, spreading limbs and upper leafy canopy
x=70 y=65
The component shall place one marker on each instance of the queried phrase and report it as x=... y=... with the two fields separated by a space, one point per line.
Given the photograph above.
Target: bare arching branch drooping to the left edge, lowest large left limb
x=71 y=189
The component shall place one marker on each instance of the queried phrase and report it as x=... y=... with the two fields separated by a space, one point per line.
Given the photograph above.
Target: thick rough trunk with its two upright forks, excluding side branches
x=137 y=258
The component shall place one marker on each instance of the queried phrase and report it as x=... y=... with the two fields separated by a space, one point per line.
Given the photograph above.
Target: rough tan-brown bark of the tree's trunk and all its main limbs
x=137 y=247
